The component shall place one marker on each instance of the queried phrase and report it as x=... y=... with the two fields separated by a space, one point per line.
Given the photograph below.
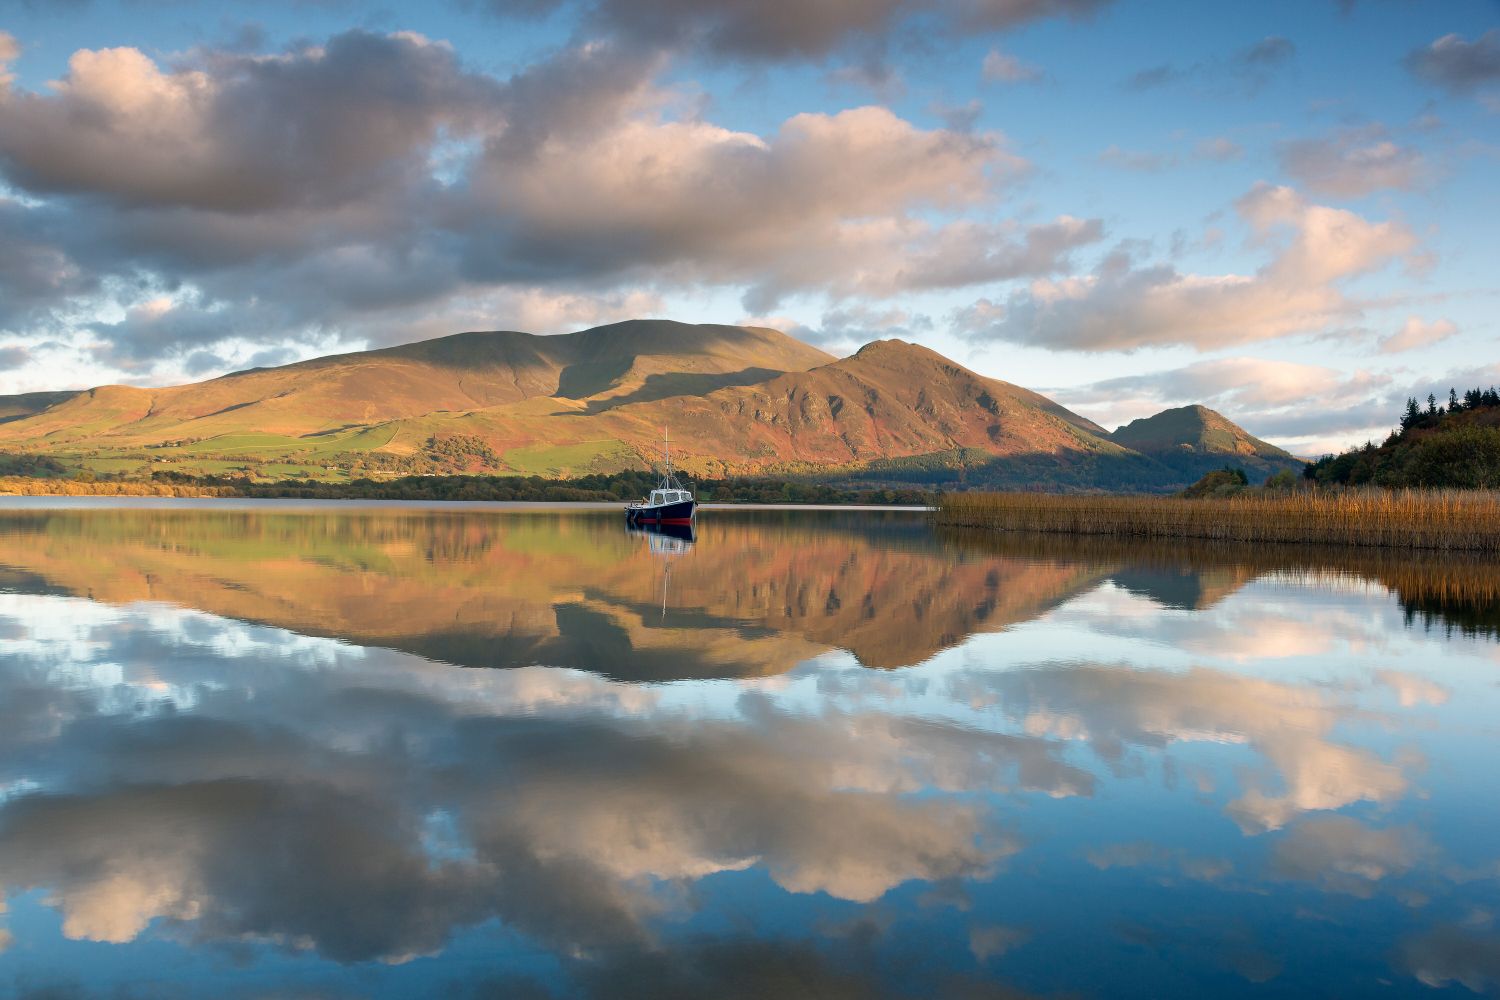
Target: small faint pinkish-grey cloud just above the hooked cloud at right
x=1352 y=163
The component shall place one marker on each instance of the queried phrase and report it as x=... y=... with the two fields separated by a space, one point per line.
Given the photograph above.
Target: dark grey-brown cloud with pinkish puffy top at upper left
x=317 y=128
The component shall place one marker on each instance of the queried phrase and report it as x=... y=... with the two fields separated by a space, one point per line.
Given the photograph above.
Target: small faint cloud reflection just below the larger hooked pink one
x=1343 y=855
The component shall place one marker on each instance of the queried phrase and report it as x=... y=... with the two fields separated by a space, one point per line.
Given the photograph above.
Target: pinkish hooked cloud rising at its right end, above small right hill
x=1123 y=307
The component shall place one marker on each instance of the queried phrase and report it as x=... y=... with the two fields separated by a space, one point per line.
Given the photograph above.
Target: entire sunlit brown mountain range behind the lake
x=740 y=401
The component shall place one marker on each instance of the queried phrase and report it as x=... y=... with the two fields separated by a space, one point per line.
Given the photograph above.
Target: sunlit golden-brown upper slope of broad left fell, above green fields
x=463 y=373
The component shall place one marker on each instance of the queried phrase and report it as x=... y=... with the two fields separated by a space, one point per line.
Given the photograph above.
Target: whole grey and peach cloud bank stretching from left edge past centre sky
x=376 y=182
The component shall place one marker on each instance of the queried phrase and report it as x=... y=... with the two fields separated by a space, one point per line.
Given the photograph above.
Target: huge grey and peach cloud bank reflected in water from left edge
x=571 y=807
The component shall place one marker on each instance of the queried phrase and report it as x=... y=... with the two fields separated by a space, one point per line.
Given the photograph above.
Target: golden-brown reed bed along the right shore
x=1451 y=521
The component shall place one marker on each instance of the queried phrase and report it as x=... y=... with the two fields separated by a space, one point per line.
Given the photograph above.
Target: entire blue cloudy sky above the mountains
x=1282 y=211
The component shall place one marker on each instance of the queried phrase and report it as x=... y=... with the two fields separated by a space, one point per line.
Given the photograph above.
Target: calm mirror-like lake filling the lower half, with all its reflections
x=329 y=752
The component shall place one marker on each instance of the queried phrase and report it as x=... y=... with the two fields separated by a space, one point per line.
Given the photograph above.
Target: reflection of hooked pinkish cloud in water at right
x=1112 y=707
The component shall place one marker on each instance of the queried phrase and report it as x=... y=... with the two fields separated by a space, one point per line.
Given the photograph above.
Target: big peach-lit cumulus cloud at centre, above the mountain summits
x=827 y=202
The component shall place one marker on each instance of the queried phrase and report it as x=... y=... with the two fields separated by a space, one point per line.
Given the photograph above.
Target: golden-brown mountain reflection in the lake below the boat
x=755 y=596
